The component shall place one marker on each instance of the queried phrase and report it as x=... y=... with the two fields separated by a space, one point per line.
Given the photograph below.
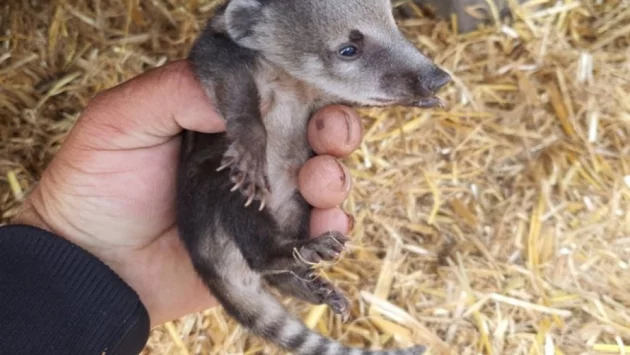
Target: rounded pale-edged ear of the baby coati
x=241 y=18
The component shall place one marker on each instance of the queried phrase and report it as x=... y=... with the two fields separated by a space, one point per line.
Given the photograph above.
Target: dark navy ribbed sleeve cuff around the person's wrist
x=55 y=298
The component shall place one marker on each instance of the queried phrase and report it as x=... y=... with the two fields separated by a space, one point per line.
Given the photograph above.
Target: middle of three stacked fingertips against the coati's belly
x=324 y=182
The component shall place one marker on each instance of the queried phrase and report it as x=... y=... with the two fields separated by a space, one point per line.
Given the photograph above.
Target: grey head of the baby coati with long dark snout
x=349 y=48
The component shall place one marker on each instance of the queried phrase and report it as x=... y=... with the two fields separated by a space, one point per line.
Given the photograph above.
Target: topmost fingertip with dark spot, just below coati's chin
x=335 y=130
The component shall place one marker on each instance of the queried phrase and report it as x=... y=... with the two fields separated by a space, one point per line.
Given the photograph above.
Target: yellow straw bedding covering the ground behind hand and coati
x=500 y=226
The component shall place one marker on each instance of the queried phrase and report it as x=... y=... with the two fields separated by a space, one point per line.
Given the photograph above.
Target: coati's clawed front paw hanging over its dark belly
x=248 y=171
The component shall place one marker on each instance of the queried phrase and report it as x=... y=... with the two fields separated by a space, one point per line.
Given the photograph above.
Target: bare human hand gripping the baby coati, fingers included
x=111 y=187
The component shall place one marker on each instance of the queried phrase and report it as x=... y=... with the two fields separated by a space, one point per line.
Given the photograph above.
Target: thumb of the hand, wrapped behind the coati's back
x=149 y=110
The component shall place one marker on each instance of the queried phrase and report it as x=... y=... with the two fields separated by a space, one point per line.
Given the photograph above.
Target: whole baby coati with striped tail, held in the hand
x=267 y=65
